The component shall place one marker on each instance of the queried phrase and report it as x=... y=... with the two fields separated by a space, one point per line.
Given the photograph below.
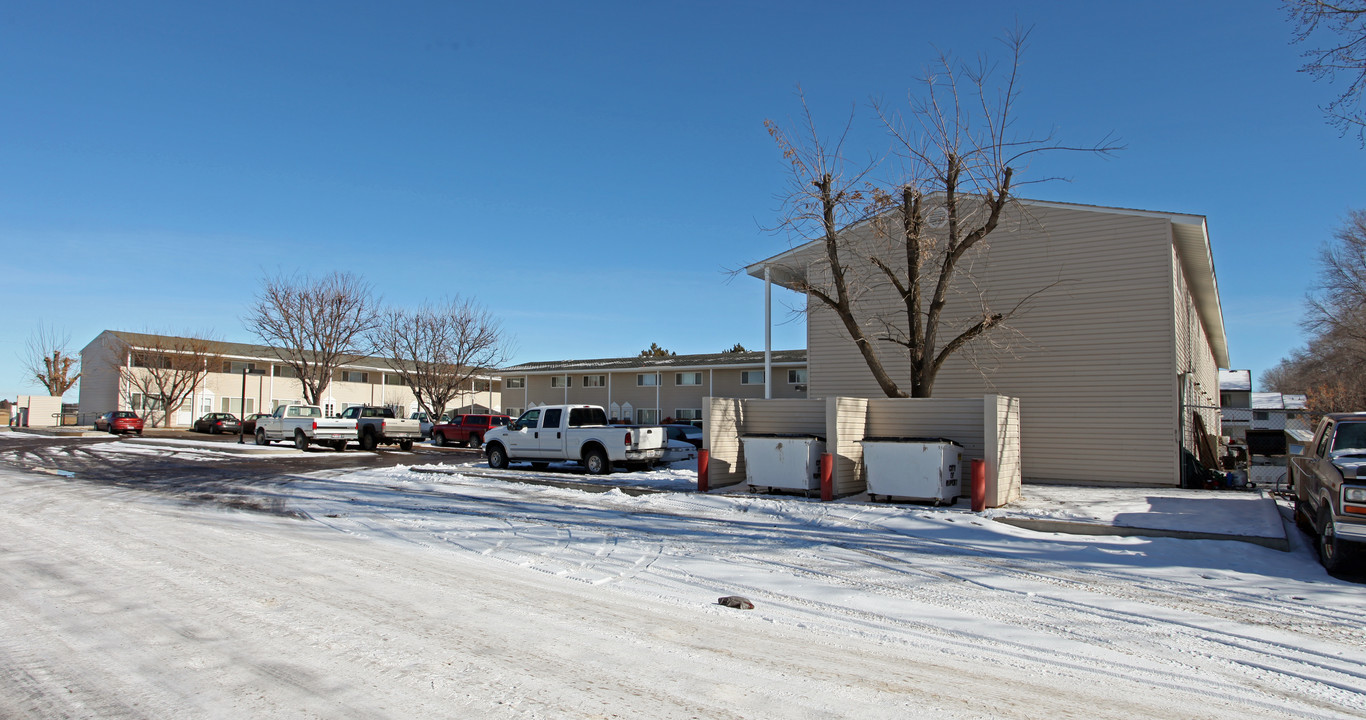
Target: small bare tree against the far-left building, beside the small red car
x=161 y=372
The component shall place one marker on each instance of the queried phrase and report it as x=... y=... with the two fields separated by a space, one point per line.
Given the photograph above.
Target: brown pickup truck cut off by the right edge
x=1330 y=479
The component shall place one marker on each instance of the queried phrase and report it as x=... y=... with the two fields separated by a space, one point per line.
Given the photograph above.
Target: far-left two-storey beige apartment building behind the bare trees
x=367 y=382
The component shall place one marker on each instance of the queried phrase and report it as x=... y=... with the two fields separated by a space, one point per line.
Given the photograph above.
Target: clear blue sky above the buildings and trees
x=592 y=171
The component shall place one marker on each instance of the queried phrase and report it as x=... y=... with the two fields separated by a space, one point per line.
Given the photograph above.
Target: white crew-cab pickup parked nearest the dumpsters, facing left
x=573 y=432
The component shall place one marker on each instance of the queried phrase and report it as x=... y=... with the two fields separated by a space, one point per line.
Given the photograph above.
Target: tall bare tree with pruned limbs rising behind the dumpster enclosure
x=958 y=152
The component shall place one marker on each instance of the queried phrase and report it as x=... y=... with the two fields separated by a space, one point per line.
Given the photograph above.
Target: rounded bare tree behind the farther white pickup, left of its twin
x=315 y=326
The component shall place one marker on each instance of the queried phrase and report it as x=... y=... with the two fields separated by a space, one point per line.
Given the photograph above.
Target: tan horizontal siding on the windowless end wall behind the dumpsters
x=1092 y=360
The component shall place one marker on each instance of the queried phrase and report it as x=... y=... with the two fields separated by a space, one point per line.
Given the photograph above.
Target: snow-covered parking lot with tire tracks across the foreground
x=188 y=583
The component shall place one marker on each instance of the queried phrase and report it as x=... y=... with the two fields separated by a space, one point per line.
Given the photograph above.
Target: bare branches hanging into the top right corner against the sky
x=1343 y=25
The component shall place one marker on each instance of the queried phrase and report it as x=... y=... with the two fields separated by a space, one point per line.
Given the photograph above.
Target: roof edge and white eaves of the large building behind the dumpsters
x=1190 y=237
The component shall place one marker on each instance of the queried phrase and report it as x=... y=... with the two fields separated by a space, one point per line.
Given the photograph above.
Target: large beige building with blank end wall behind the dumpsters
x=1115 y=360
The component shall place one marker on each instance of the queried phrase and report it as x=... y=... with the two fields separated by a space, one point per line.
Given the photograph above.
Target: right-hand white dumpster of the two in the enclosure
x=924 y=469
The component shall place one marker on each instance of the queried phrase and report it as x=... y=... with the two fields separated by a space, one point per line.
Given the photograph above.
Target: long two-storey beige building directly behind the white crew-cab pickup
x=652 y=390
